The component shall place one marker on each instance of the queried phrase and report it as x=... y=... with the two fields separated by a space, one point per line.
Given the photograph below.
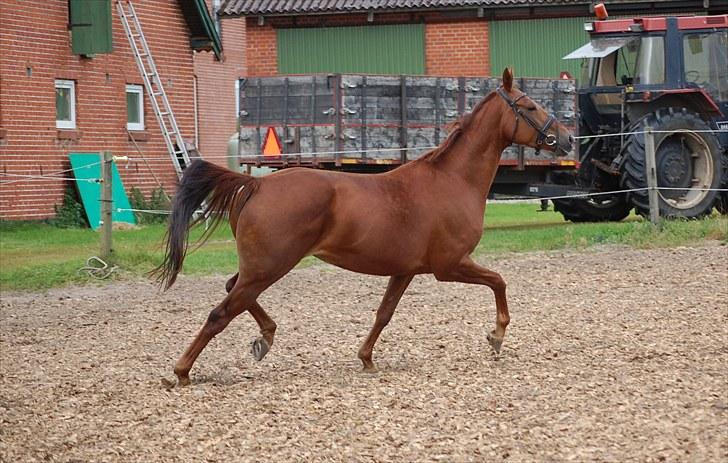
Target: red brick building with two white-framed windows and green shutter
x=43 y=64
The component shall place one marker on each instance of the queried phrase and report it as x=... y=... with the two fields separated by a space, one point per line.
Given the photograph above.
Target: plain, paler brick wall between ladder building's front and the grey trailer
x=216 y=91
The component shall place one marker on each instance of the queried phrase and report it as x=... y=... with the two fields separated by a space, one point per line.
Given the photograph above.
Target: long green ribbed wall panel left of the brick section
x=394 y=49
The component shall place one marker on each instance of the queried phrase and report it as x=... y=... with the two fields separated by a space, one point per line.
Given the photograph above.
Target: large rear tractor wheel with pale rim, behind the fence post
x=683 y=160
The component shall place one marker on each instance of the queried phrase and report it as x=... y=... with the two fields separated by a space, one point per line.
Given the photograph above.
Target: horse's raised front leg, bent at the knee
x=467 y=271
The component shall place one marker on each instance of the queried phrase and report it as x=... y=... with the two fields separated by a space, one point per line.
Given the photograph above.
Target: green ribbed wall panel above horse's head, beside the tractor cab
x=534 y=47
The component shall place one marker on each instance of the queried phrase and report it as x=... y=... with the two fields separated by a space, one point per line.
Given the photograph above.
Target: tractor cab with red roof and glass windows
x=629 y=64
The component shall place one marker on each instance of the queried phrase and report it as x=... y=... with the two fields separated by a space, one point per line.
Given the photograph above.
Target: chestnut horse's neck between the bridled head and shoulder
x=475 y=155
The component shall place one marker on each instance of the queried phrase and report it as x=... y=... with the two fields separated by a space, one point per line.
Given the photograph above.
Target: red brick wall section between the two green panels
x=457 y=48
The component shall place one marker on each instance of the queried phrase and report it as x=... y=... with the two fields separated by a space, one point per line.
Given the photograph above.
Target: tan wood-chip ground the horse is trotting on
x=612 y=354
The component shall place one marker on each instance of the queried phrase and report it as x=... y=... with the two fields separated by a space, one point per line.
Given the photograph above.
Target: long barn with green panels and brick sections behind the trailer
x=432 y=37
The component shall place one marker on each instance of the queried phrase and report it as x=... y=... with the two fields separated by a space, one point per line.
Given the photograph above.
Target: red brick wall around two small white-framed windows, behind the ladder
x=34 y=36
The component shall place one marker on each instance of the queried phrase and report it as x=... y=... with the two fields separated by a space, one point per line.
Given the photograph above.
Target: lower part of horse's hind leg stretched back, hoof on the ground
x=232 y=306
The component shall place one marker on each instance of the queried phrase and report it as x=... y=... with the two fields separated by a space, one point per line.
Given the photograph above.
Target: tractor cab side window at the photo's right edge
x=706 y=62
